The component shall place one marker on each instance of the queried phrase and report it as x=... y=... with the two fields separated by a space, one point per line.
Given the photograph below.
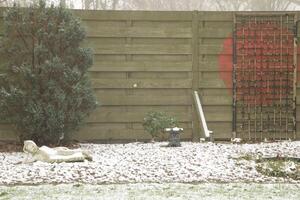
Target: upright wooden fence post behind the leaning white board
x=195 y=73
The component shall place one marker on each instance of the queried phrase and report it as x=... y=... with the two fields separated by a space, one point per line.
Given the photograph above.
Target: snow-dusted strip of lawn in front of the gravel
x=151 y=191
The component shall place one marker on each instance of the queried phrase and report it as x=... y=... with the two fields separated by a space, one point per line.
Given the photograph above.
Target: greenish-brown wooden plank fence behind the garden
x=167 y=55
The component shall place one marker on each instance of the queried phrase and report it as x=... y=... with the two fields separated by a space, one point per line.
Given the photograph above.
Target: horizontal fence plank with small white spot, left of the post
x=141 y=83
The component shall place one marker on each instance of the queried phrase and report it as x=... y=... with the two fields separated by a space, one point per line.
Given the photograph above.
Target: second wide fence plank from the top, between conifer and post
x=149 y=32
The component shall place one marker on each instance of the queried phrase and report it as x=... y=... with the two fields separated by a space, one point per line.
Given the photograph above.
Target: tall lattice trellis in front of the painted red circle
x=264 y=77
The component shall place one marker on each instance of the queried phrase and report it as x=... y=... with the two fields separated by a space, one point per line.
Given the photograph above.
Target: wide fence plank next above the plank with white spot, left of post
x=142 y=66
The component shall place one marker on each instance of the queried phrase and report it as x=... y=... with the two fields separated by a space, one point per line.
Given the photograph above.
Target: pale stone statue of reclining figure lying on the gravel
x=58 y=154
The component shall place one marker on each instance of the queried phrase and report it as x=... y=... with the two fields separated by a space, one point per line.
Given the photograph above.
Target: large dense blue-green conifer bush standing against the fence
x=45 y=91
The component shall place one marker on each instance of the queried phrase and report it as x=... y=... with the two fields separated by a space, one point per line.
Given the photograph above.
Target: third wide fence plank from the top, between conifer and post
x=142 y=49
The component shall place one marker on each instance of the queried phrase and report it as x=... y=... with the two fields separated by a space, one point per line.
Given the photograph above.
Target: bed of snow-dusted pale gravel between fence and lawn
x=141 y=162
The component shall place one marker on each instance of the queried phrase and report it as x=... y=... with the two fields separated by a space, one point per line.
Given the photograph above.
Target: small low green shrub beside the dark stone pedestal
x=156 y=122
